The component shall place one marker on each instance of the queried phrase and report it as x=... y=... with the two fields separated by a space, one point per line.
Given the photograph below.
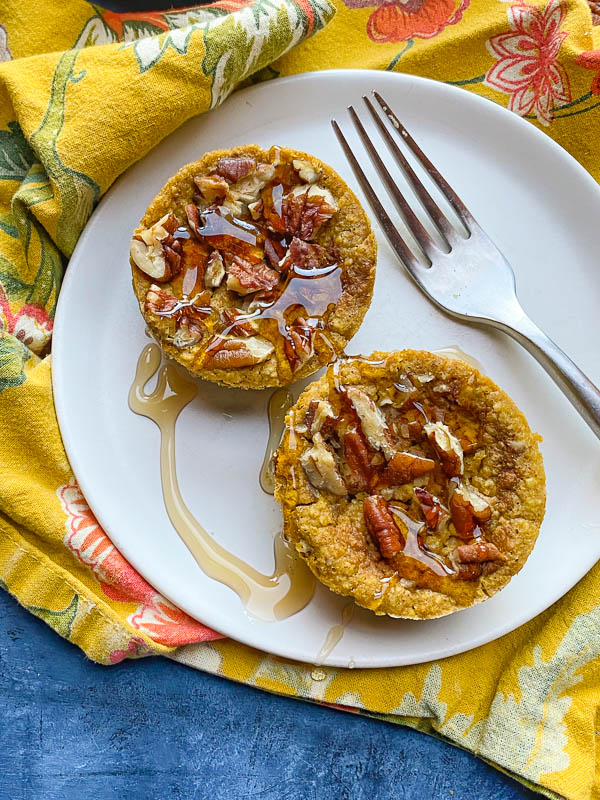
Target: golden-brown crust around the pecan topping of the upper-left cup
x=349 y=234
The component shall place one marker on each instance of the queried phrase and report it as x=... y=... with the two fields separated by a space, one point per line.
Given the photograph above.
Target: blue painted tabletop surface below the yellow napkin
x=72 y=730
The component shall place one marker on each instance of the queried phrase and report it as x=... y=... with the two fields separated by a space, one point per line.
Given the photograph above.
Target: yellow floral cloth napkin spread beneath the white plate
x=84 y=93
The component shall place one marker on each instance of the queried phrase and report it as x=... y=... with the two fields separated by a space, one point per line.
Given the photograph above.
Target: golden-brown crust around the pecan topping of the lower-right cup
x=505 y=467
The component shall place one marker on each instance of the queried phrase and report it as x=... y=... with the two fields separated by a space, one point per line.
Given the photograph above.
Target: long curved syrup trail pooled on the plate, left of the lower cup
x=269 y=597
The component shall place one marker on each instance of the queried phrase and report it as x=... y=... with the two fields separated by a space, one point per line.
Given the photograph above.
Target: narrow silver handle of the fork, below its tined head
x=577 y=387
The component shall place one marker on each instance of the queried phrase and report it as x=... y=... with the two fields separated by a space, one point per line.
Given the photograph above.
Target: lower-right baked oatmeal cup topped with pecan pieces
x=410 y=482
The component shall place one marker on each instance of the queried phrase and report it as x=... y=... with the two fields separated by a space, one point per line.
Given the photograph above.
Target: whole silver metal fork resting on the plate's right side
x=472 y=280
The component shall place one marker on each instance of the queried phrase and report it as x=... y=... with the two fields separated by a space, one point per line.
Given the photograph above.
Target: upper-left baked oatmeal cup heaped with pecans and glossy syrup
x=254 y=267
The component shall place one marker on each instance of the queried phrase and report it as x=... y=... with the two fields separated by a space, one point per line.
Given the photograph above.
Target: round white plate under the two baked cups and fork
x=539 y=206
